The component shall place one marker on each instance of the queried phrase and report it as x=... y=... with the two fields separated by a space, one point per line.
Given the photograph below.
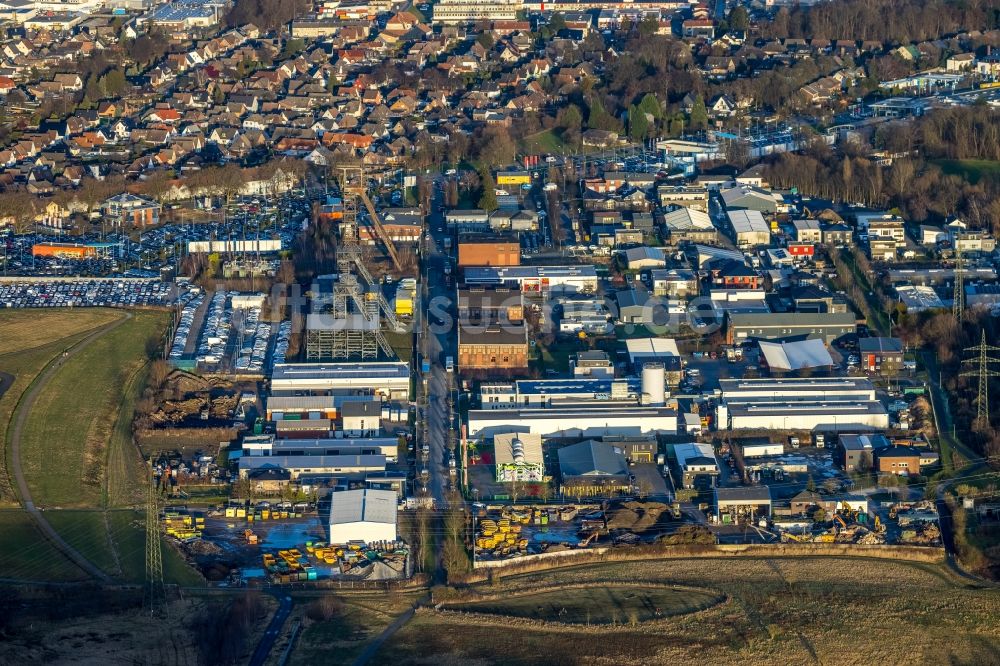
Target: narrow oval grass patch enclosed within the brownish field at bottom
x=598 y=604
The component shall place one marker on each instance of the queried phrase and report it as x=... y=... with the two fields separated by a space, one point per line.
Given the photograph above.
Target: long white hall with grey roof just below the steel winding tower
x=389 y=379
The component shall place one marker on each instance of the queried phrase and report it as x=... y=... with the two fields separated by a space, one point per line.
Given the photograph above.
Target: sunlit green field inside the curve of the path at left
x=68 y=437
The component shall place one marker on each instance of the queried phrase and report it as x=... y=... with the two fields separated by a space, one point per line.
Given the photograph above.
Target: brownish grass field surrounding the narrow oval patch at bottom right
x=779 y=610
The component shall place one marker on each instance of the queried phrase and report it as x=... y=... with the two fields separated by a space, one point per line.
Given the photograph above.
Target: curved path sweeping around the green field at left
x=22 y=413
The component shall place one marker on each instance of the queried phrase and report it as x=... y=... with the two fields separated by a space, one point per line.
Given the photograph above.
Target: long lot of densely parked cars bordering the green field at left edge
x=85 y=293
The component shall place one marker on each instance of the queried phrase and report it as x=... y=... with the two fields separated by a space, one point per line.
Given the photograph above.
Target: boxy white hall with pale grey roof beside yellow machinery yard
x=366 y=515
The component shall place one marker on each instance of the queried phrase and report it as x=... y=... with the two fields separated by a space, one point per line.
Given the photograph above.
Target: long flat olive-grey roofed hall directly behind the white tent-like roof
x=827 y=326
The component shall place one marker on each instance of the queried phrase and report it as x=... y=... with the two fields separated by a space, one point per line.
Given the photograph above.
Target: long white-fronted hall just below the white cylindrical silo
x=586 y=421
